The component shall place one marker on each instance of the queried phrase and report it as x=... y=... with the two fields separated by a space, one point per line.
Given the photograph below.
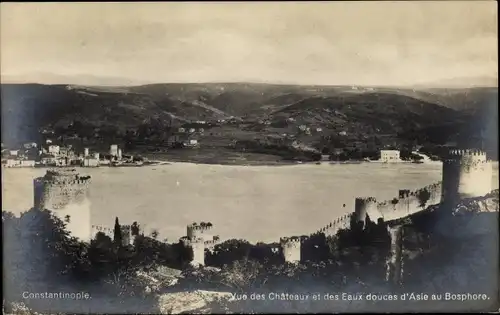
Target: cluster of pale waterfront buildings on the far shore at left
x=49 y=154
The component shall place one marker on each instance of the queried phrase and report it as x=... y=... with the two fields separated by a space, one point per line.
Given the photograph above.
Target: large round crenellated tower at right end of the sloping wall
x=466 y=174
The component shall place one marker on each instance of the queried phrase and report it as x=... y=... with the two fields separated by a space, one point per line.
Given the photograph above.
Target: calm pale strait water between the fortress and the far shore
x=254 y=203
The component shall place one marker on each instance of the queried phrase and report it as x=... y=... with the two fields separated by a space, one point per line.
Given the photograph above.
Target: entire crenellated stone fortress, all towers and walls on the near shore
x=466 y=174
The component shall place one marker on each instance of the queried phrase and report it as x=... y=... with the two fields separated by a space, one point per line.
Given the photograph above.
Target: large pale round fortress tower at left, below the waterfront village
x=66 y=194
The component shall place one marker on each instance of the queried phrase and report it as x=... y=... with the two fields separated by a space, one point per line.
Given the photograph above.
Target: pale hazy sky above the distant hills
x=325 y=43
